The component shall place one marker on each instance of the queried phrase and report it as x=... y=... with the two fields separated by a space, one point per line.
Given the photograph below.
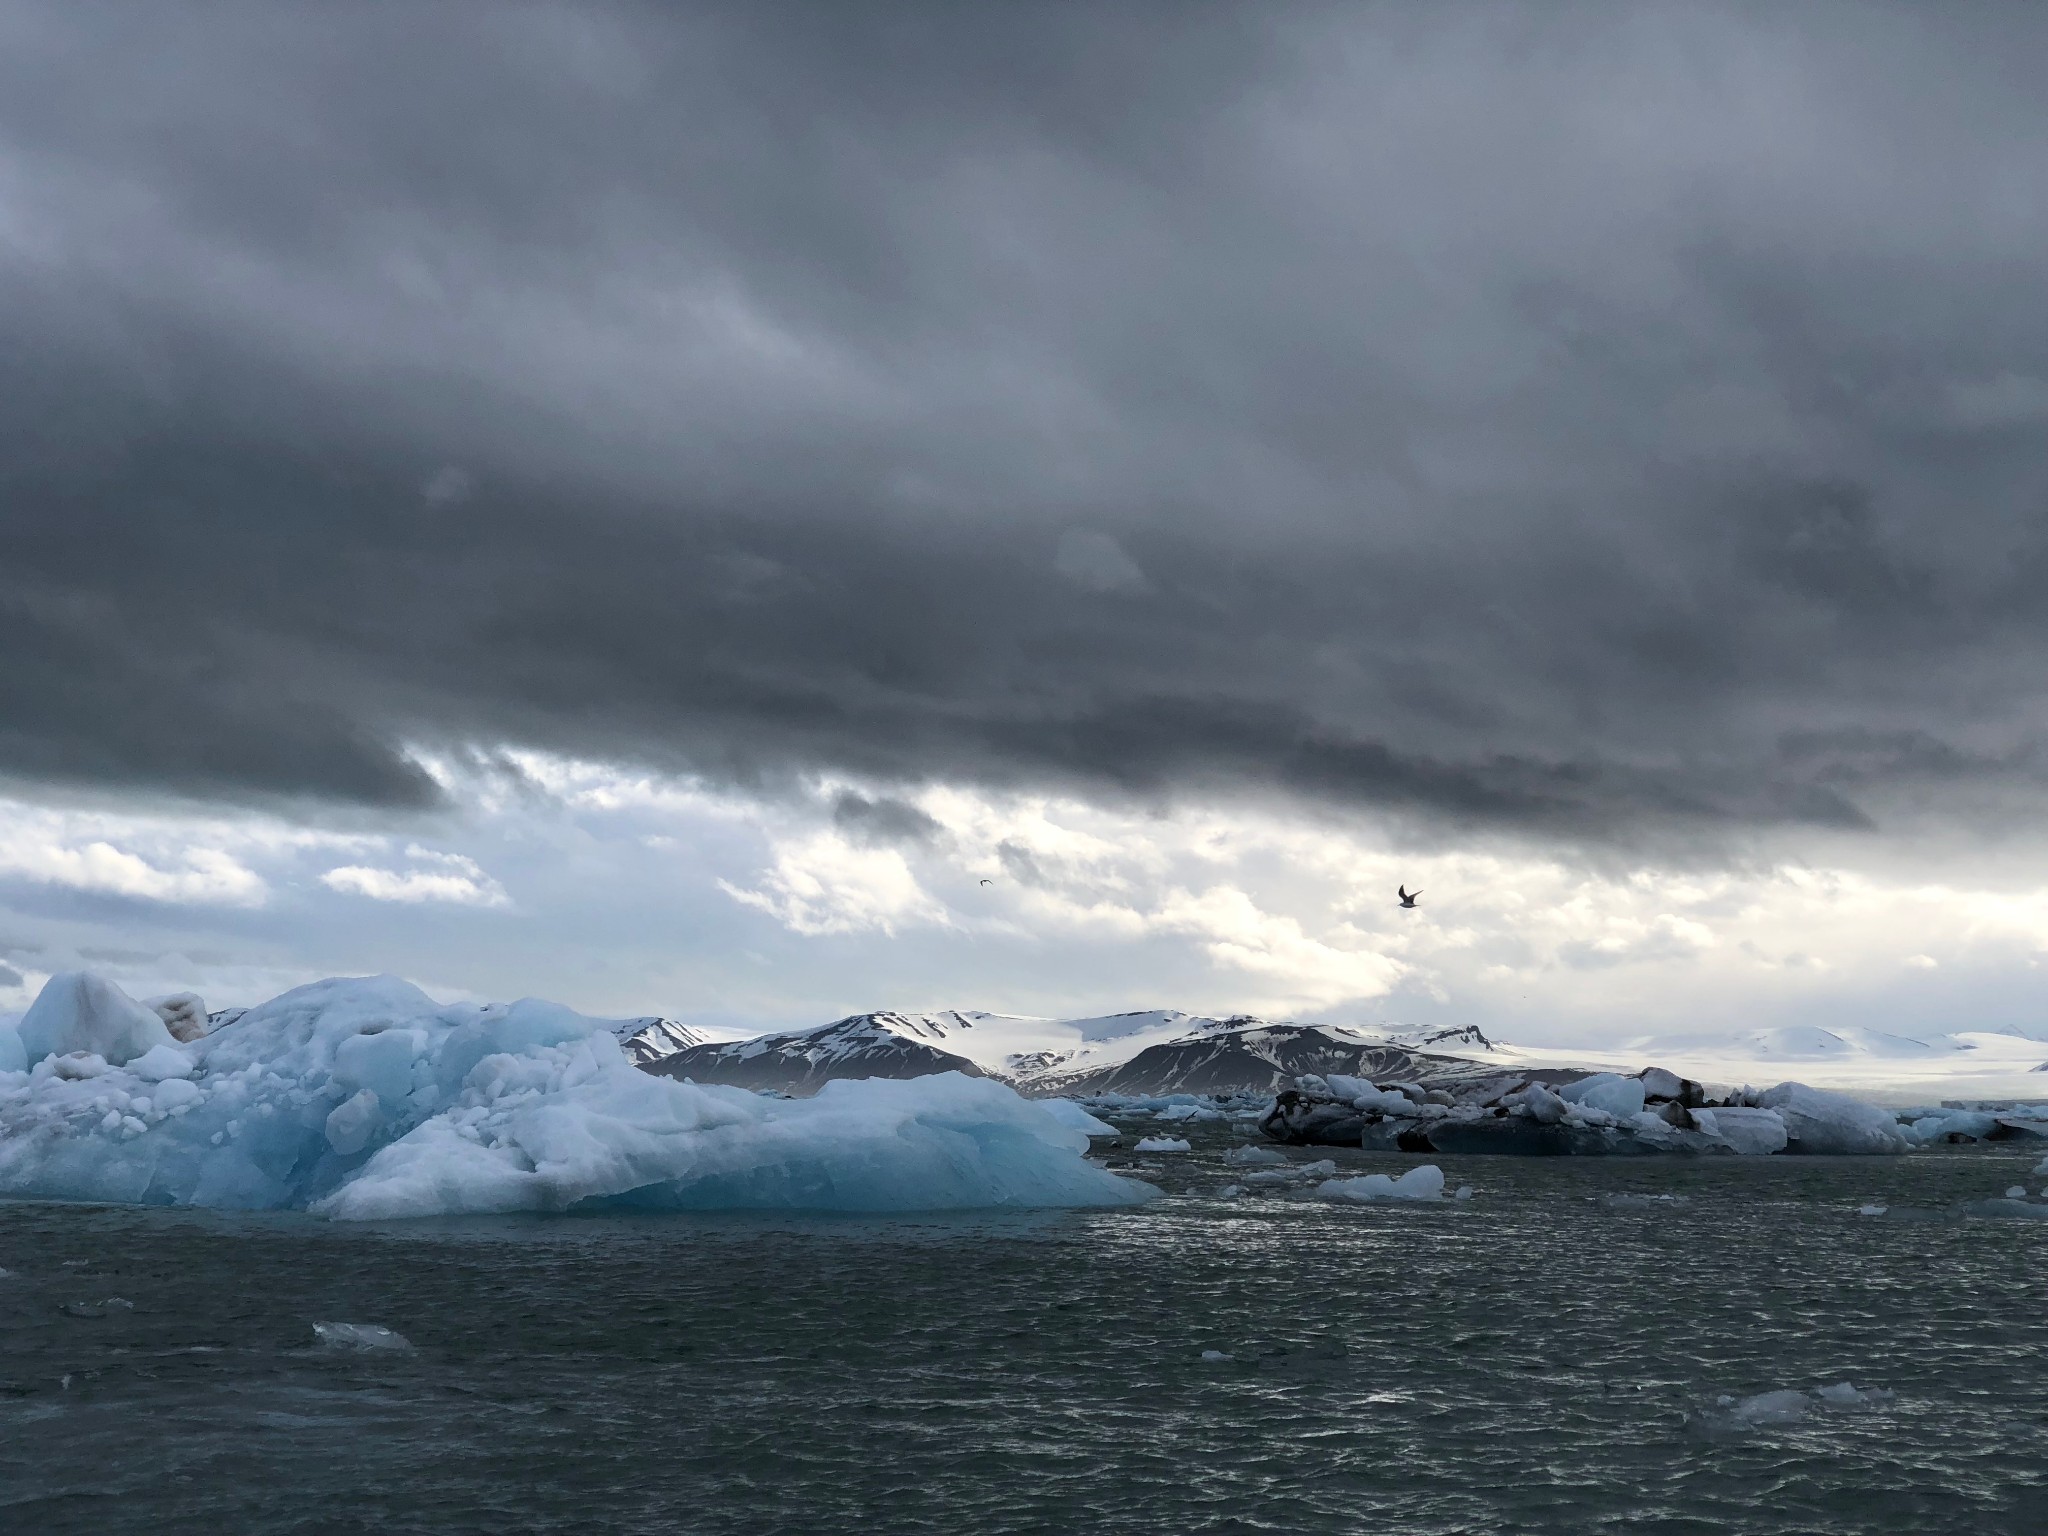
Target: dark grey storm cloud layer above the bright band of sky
x=1570 y=419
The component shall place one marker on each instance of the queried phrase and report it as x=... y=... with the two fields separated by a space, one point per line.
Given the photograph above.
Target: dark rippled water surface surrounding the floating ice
x=1539 y=1359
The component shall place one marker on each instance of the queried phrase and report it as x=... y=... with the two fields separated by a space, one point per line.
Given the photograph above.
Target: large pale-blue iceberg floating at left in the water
x=366 y=1099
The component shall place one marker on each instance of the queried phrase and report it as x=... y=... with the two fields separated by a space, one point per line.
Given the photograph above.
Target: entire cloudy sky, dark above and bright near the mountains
x=767 y=511
